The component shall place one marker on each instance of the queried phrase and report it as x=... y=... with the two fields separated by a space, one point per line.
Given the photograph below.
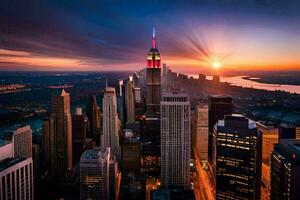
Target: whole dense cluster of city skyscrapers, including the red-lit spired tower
x=147 y=140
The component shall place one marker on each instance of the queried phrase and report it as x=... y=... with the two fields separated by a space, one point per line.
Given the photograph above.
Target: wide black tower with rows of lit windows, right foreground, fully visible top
x=237 y=151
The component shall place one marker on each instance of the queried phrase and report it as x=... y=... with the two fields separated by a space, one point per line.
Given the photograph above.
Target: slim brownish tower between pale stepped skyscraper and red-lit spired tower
x=130 y=101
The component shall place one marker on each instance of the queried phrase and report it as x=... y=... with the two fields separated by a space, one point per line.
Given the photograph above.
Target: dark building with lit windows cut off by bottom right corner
x=285 y=170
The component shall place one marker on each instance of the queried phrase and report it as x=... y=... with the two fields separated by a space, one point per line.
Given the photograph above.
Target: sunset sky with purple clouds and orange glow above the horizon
x=110 y=35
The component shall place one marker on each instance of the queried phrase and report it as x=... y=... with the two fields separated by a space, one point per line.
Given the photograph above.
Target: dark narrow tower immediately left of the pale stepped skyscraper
x=94 y=117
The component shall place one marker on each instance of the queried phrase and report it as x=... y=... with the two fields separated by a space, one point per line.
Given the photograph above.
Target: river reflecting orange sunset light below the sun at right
x=239 y=81
